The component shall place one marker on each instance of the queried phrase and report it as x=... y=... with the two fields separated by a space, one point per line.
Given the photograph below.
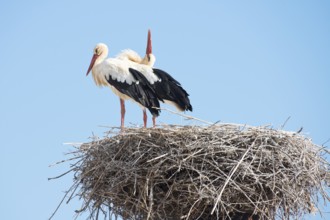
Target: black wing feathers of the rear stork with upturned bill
x=170 y=89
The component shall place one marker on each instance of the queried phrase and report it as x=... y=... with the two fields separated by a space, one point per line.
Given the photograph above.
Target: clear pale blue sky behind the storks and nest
x=253 y=62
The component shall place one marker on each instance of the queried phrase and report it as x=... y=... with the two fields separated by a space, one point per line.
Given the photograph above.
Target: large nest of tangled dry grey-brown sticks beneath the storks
x=223 y=171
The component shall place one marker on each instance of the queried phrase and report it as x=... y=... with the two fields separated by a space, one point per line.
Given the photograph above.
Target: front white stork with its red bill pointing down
x=126 y=80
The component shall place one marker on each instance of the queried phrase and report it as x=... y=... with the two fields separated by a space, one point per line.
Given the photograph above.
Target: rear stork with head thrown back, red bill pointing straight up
x=166 y=87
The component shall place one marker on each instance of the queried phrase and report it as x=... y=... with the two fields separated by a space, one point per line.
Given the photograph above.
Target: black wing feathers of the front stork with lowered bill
x=141 y=91
